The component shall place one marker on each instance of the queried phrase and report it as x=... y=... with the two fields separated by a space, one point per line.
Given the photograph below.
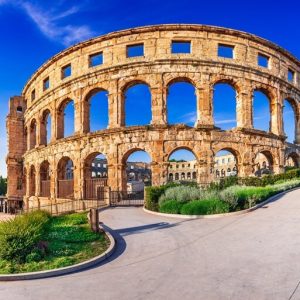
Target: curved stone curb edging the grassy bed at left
x=66 y=270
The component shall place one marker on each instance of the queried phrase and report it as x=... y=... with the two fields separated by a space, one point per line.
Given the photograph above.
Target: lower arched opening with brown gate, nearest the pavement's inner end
x=95 y=176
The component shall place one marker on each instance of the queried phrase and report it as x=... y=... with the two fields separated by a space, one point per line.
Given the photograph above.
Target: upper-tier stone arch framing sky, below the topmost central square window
x=188 y=113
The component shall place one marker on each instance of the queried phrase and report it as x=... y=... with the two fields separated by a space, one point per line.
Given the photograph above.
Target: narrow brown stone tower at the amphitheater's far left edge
x=16 y=140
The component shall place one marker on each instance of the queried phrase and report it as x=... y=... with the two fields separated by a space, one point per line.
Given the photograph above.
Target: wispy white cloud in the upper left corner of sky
x=51 y=22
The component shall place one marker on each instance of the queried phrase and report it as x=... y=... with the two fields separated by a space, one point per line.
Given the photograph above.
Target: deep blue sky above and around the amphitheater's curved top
x=33 y=31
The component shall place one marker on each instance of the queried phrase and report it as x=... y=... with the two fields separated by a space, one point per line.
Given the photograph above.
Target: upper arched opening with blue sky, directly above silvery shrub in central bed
x=181 y=103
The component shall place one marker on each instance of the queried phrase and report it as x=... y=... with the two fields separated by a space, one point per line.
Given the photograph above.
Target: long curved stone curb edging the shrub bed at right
x=236 y=213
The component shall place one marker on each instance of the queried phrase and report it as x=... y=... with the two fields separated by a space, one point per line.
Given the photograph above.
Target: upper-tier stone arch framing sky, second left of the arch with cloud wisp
x=130 y=117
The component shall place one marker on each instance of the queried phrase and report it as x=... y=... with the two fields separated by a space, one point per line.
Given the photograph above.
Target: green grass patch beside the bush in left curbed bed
x=68 y=240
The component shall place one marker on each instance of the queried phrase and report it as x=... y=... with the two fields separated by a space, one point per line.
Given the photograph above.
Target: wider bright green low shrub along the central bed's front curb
x=204 y=207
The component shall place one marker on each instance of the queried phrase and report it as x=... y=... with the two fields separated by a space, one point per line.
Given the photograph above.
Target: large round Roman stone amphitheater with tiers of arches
x=45 y=171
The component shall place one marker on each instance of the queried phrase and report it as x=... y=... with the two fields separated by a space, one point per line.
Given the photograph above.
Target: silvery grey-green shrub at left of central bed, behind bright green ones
x=181 y=194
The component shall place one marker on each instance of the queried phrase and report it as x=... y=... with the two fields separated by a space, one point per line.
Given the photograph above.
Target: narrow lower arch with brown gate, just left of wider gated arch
x=65 y=175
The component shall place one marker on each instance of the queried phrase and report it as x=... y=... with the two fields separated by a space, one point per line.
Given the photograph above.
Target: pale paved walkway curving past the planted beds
x=252 y=256
